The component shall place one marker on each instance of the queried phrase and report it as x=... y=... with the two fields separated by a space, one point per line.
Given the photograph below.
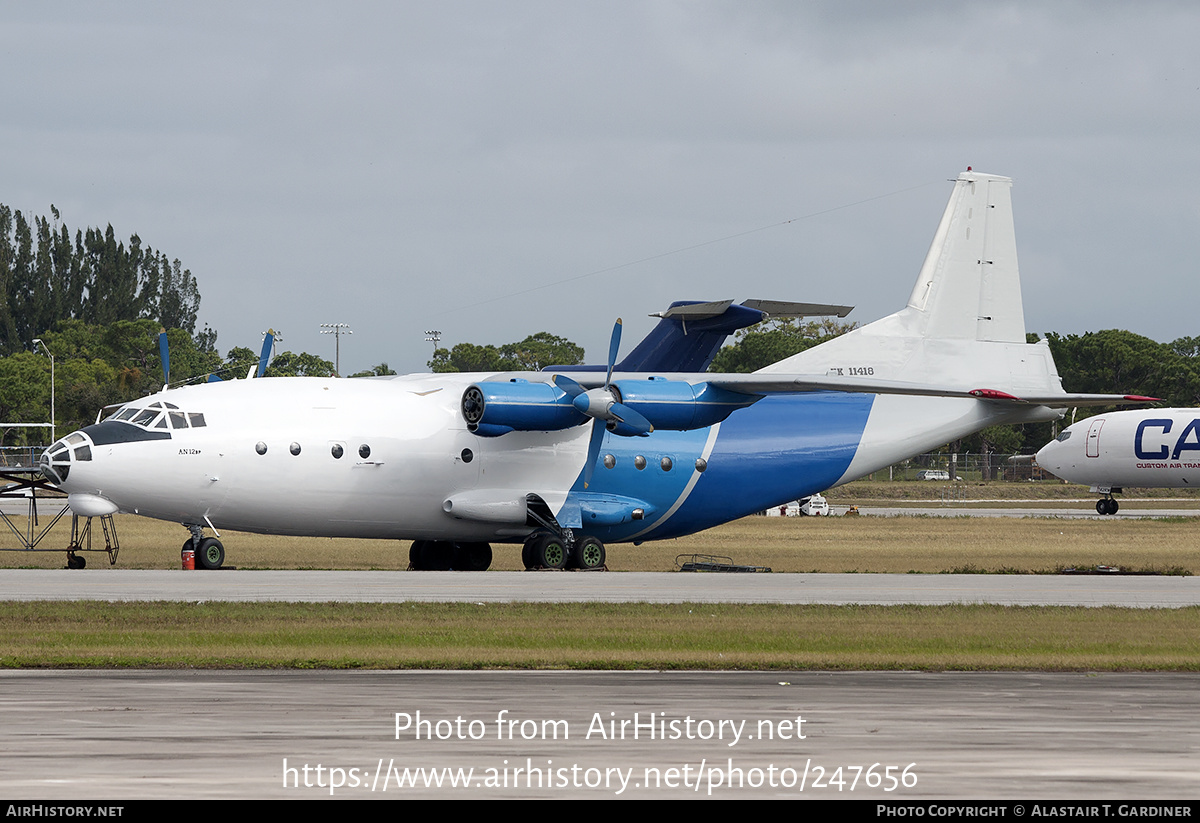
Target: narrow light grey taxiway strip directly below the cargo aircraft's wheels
x=1136 y=592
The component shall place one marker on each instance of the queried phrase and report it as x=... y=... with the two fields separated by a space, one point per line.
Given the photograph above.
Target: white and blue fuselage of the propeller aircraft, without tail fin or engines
x=393 y=458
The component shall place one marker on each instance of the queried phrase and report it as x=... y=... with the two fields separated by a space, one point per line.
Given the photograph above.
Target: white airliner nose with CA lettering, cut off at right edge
x=1144 y=449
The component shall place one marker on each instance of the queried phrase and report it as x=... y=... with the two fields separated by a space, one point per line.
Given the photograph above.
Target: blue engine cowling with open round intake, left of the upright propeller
x=497 y=409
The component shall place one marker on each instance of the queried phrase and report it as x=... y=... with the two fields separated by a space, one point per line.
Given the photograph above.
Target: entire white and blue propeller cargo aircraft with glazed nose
x=566 y=465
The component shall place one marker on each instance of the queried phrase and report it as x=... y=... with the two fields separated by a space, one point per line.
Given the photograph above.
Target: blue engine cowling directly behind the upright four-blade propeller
x=680 y=406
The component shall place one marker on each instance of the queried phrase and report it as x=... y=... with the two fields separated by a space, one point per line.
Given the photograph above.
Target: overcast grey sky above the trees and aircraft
x=495 y=170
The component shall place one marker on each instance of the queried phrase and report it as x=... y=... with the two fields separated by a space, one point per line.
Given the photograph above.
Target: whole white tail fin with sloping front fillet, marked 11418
x=964 y=322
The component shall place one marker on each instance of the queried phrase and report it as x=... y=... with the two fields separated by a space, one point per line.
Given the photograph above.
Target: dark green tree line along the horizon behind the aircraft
x=99 y=304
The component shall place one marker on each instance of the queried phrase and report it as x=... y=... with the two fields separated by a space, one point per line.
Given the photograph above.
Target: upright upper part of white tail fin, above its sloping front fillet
x=969 y=287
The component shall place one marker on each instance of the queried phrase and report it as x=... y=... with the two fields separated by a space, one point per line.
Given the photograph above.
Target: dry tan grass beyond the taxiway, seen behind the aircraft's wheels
x=787 y=545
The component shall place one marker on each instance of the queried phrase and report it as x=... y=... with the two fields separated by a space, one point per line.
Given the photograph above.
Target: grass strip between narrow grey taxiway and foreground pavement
x=596 y=636
